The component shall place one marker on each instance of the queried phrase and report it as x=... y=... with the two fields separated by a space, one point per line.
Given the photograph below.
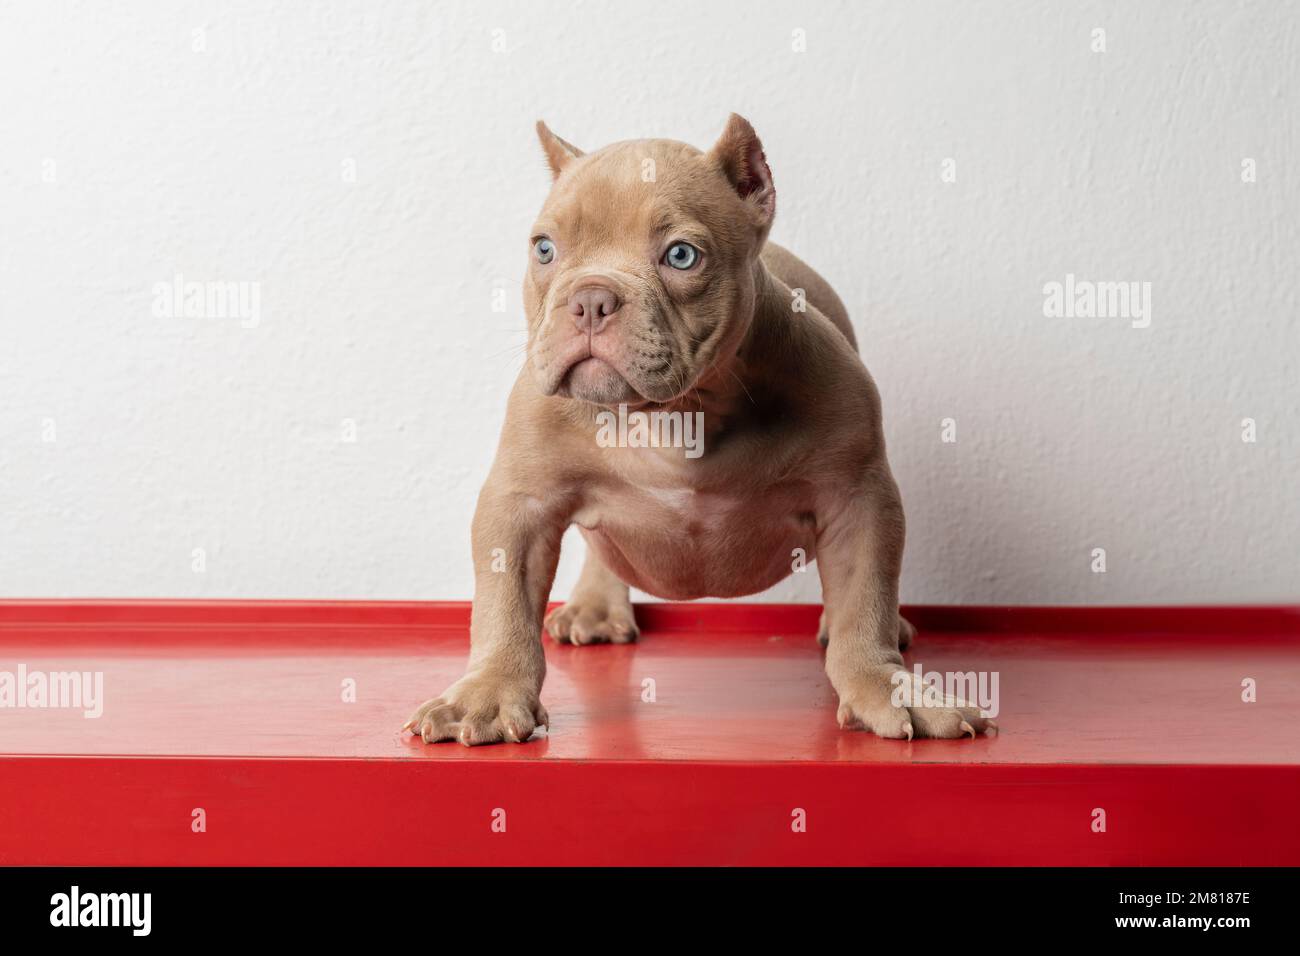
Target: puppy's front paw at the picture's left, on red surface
x=480 y=710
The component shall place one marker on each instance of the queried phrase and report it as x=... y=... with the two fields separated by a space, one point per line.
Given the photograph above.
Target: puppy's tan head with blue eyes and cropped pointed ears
x=642 y=265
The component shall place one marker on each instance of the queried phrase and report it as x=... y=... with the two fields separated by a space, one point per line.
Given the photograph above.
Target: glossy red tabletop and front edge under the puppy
x=237 y=710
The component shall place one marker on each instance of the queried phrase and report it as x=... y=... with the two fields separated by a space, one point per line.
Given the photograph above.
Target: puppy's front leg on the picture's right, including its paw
x=860 y=556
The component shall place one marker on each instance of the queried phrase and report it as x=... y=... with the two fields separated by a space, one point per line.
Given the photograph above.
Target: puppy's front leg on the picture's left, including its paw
x=517 y=544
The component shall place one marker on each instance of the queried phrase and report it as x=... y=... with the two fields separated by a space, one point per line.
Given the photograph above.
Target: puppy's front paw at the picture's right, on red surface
x=890 y=703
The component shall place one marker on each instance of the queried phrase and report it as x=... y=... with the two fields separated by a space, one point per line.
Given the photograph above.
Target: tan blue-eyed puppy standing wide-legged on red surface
x=652 y=289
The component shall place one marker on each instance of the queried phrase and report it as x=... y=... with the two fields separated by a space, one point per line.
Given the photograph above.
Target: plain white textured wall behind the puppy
x=228 y=163
